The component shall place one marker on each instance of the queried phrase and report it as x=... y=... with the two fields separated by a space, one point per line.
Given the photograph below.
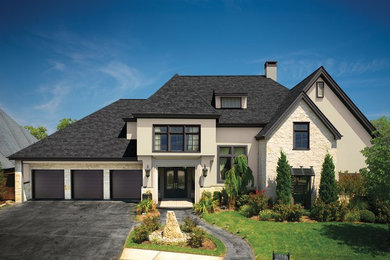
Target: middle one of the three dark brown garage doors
x=87 y=184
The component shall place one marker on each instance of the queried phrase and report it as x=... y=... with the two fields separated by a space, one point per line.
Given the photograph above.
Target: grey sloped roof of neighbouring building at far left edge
x=13 y=138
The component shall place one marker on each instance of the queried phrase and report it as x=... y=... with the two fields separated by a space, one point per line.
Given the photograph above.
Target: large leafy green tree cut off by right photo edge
x=378 y=161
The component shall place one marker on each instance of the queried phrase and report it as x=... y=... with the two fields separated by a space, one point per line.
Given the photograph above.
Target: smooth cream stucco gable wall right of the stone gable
x=355 y=137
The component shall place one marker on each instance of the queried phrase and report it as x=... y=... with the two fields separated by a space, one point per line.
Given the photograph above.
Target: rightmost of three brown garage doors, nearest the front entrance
x=126 y=184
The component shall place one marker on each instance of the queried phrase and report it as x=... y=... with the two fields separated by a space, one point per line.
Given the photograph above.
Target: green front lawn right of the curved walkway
x=332 y=240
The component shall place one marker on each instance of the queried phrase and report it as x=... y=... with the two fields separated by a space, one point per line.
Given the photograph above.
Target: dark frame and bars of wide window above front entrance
x=169 y=138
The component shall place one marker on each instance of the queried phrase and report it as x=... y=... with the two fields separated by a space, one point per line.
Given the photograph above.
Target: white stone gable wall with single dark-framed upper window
x=321 y=142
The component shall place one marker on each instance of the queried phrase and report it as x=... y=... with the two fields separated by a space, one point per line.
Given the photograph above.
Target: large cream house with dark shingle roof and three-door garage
x=183 y=139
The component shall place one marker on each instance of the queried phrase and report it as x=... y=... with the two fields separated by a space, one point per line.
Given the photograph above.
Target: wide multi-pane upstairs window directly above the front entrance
x=176 y=138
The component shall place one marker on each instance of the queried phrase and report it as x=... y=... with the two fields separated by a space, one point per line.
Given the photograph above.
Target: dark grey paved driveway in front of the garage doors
x=65 y=229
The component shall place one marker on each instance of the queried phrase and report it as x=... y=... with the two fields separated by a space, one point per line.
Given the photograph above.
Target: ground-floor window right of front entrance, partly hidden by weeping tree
x=226 y=155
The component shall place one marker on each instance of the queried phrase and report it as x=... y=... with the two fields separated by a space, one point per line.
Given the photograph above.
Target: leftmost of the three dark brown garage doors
x=48 y=184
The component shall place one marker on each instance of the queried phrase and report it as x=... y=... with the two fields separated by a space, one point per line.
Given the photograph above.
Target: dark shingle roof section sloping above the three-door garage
x=99 y=136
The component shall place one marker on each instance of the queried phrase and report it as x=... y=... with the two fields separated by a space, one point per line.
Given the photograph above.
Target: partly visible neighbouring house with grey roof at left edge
x=13 y=138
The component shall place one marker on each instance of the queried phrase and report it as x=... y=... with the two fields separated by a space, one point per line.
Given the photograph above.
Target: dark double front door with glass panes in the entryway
x=175 y=183
